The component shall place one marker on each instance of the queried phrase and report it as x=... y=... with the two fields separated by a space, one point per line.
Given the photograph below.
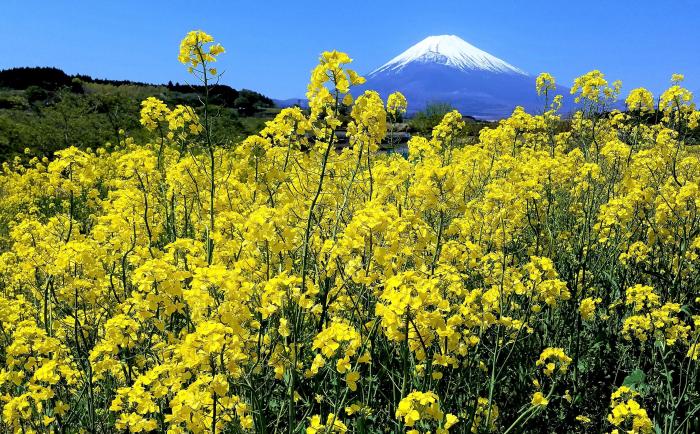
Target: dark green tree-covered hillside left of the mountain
x=45 y=109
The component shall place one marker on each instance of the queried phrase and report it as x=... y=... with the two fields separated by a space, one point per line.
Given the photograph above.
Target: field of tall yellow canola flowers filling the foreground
x=542 y=280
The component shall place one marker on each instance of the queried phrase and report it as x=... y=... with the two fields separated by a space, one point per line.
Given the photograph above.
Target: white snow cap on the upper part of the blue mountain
x=449 y=50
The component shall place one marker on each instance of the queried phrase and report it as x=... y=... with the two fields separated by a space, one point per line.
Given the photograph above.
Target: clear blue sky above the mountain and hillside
x=272 y=45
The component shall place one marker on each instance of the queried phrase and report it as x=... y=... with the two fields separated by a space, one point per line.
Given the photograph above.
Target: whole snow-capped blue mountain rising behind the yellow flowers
x=447 y=69
